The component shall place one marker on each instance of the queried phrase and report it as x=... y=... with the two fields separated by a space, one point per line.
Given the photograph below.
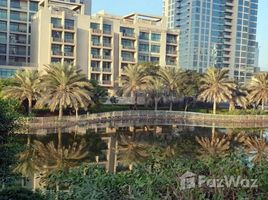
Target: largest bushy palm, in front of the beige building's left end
x=64 y=86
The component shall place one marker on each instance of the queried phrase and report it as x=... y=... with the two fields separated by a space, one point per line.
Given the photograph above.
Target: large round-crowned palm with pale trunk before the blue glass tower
x=216 y=87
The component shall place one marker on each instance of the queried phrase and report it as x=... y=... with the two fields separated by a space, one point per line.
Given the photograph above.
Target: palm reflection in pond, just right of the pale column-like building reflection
x=130 y=151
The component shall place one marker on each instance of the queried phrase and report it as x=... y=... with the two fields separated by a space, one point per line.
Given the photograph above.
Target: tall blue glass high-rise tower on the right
x=216 y=33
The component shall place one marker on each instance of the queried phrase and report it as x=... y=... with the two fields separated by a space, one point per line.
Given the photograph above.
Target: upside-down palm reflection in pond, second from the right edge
x=214 y=147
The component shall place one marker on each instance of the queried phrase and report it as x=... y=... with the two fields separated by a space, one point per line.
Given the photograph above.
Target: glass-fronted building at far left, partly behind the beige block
x=15 y=29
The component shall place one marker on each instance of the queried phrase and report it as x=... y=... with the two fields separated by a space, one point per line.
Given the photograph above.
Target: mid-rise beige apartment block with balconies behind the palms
x=102 y=45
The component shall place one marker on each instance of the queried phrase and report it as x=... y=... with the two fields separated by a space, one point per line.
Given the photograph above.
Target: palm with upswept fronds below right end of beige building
x=170 y=77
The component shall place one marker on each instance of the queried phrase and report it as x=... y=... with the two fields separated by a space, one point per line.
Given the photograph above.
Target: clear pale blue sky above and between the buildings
x=154 y=7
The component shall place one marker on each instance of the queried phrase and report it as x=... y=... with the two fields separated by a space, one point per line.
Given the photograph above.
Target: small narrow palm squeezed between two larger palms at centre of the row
x=156 y=89
